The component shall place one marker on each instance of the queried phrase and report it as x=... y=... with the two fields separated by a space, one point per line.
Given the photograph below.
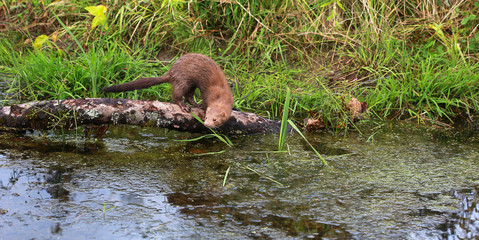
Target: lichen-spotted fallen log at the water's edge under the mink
x=71 y=113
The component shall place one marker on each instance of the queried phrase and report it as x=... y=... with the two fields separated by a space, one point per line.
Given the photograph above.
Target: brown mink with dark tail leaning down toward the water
x=189 y=72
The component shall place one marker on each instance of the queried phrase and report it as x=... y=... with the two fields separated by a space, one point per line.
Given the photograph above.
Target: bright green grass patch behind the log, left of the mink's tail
x=51 y=74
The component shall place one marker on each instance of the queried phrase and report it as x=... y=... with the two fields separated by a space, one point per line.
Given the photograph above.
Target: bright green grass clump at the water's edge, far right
x=428 y=84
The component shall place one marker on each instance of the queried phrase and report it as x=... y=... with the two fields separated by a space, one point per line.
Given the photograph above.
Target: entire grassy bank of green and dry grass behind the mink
x=404 y=58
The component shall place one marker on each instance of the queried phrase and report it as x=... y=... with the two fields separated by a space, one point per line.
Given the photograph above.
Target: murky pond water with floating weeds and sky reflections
x=393 y=181
